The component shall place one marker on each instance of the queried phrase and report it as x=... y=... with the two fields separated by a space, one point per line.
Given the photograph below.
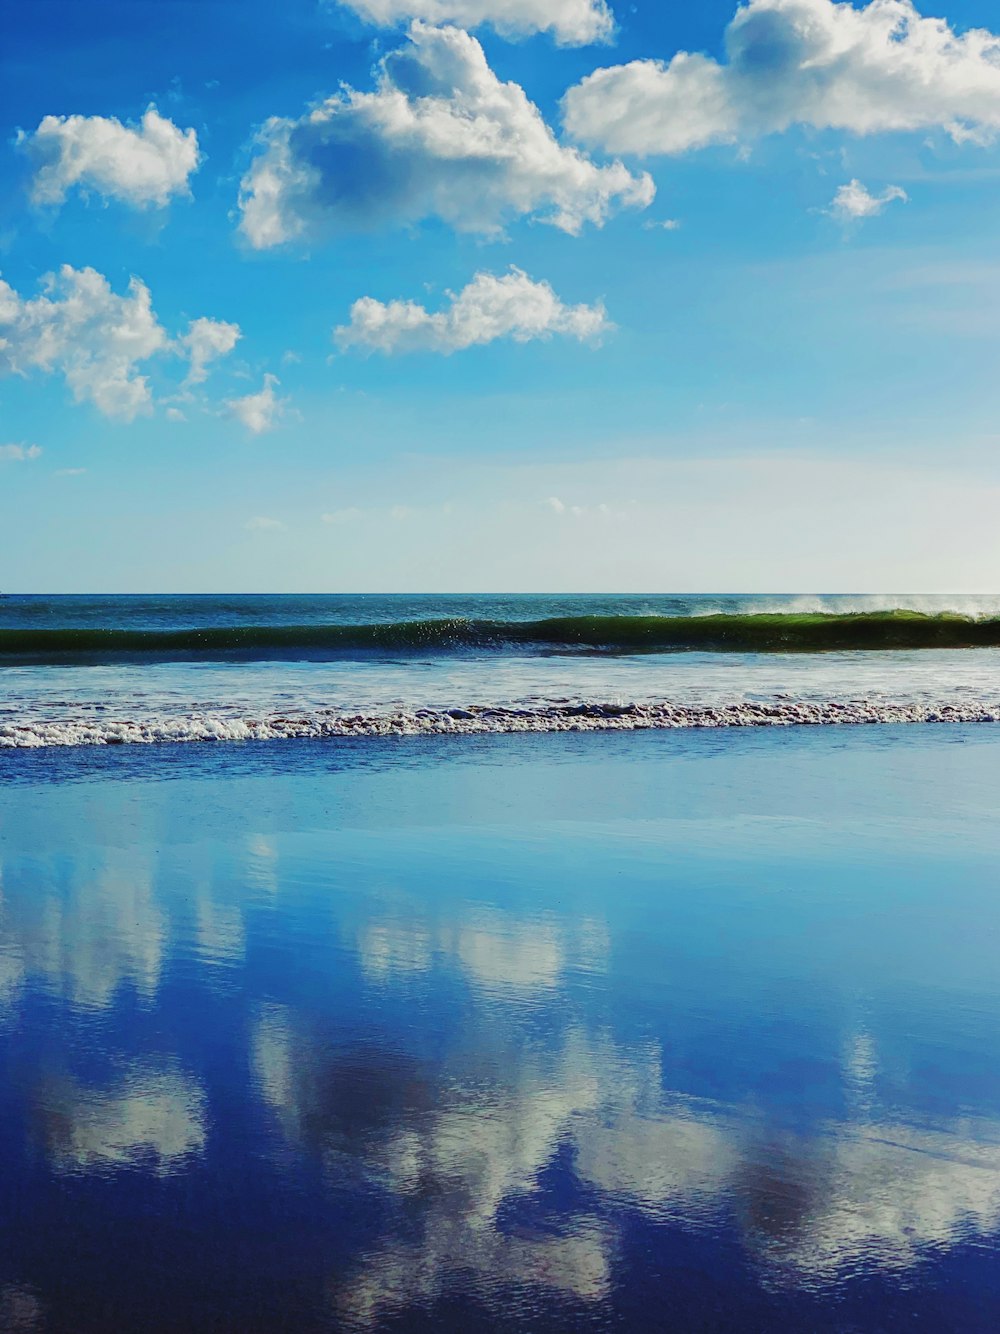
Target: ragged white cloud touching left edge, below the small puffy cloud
x=97 y=341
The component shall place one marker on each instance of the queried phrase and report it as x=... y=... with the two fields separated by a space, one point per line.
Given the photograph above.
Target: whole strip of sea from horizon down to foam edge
x=81 y=670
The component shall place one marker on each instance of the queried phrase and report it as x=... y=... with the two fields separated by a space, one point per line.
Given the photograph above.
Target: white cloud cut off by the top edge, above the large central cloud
x=573 y=23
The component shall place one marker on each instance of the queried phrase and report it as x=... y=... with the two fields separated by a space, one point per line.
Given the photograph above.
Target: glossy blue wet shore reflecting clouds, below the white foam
x=666 y=1032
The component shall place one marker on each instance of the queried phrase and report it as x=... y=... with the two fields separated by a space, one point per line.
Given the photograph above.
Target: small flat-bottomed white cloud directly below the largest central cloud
x=486 y=310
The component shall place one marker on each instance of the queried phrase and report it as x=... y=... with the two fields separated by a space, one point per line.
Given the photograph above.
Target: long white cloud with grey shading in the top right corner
x=817 y=63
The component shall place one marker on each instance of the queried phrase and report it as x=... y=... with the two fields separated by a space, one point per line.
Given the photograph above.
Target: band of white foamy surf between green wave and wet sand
x=111 y=705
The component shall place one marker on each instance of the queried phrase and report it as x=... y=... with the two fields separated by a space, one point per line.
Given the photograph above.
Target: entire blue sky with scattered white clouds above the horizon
x=661 y=297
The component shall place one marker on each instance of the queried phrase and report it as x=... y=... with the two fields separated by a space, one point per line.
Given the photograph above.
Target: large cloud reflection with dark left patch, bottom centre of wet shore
x=454 y=1148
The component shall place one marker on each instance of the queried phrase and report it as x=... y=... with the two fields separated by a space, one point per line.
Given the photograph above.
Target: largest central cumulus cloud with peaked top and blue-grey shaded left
x=441 y=137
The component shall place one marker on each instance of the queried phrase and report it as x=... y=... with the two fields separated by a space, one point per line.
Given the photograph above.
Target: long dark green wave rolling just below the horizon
x=778 y=633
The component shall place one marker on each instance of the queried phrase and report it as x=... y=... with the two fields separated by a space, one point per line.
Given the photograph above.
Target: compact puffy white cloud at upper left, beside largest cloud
x=142 y=166
